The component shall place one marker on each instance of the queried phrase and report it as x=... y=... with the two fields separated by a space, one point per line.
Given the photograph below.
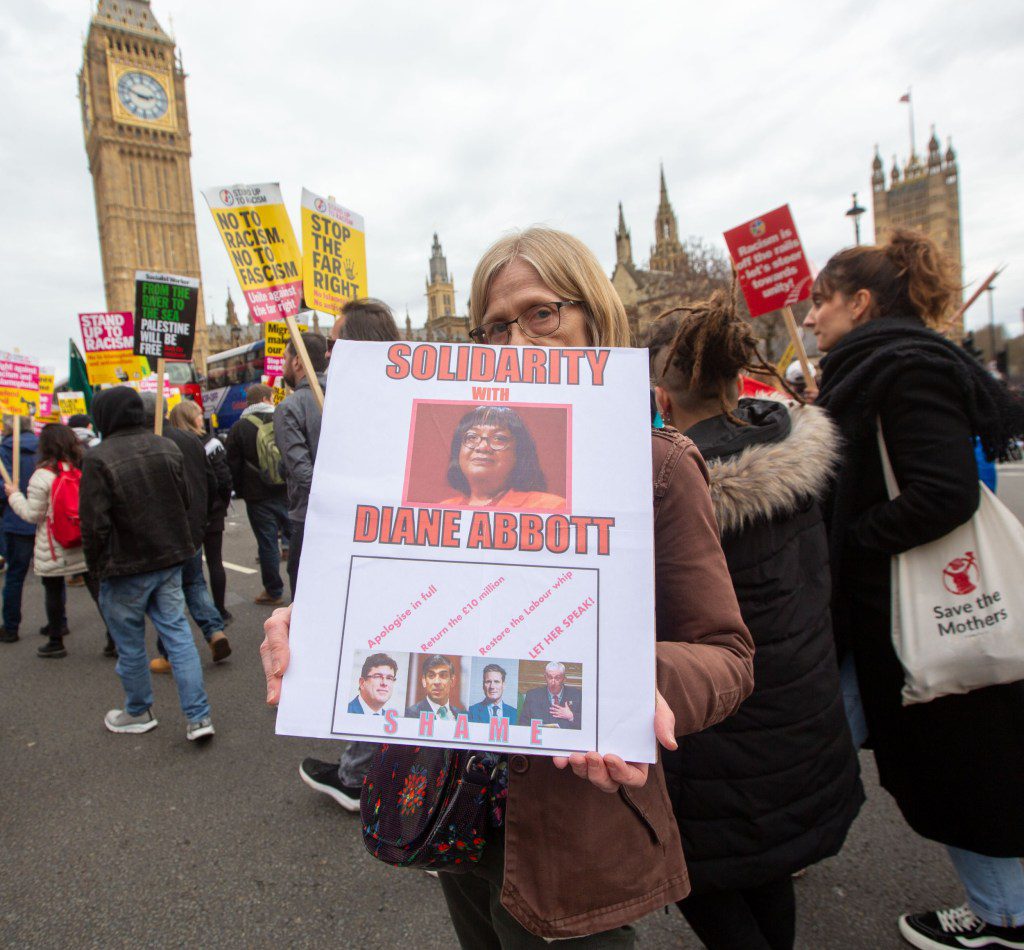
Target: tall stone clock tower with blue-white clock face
x=133 y=89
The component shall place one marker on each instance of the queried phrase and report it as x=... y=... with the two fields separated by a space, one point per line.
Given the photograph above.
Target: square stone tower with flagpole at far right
x=925 y=197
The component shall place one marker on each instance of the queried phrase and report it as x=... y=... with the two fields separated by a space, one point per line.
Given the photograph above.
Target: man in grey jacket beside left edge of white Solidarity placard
x=296 y=430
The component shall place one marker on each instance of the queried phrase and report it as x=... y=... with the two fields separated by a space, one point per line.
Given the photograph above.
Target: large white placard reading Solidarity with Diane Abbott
x=478 y=564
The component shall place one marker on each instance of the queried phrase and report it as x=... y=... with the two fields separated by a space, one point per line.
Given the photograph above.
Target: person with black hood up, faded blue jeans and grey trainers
x=134 y=504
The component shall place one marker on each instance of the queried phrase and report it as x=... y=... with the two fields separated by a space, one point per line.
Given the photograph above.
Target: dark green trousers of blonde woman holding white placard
x=482 y=923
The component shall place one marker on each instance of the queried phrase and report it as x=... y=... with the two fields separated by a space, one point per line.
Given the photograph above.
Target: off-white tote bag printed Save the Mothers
x=958 y=603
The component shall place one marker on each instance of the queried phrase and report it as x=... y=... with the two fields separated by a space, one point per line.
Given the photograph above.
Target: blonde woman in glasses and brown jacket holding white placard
x=593 y=813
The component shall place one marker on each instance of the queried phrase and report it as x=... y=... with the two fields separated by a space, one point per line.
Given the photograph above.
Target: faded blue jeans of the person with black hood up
x=126 y=602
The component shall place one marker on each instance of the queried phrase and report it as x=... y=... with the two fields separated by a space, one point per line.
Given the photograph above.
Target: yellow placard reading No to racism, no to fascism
x=259 y=237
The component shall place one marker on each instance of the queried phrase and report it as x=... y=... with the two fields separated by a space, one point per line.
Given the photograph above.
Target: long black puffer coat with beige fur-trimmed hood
x=776 y=788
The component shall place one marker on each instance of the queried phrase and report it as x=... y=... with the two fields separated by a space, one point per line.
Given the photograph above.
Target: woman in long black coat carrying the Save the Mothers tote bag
x=955 y=765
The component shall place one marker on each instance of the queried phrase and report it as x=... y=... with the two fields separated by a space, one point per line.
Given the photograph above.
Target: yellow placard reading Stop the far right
x=334 y=254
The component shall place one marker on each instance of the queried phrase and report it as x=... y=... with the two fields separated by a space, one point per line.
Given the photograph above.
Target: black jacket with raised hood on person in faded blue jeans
x=134 y=499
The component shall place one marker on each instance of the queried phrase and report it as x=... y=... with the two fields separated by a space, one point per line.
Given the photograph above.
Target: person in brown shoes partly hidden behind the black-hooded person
x=203 y=485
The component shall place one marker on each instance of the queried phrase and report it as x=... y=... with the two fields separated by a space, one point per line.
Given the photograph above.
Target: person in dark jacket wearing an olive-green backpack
x=267 y=505
